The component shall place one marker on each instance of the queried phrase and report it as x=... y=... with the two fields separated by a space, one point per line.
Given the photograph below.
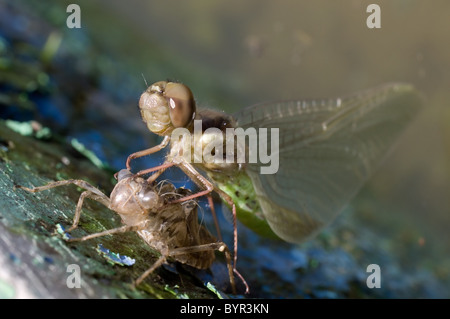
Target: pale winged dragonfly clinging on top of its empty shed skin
x=327 y=149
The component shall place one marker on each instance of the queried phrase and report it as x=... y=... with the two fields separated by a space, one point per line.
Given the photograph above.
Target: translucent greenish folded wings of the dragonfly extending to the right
x=327 y=150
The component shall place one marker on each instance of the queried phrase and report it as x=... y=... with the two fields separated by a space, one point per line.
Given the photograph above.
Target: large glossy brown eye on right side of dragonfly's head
x=181 y=104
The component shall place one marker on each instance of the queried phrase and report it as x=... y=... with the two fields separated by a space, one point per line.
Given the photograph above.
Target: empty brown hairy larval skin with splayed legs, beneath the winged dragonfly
x=171 y=228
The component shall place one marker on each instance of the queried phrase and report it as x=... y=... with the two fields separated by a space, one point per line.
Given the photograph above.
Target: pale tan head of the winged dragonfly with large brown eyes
x=167 y=105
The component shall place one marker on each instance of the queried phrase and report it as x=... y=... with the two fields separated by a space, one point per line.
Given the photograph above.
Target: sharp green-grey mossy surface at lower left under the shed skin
x=35 y=256
